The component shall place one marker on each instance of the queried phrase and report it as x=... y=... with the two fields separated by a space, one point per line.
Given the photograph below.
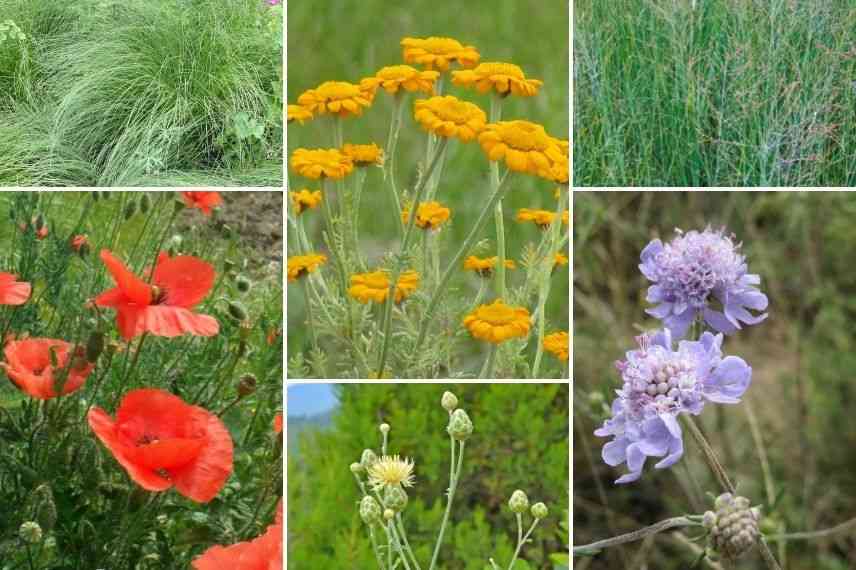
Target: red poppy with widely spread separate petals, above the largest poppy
x=162 y=308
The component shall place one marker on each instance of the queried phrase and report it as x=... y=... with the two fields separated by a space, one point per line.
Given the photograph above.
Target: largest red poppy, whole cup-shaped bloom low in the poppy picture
x=163 y=442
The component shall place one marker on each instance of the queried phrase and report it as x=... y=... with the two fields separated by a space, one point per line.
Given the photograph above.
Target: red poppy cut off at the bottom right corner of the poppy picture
x=262 y=553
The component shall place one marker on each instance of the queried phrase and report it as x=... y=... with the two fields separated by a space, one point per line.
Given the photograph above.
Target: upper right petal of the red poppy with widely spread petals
x=186 y=279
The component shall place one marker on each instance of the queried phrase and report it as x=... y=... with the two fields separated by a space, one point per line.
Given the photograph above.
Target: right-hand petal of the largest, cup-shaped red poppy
x=203 y=479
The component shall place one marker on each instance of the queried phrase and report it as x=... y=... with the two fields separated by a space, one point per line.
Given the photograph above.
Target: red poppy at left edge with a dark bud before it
x=28 y=365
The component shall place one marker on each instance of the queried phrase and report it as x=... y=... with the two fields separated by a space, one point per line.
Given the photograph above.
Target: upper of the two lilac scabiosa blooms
x=692 y=272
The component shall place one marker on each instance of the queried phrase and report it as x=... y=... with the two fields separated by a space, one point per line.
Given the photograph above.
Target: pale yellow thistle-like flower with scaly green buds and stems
x=383 y=482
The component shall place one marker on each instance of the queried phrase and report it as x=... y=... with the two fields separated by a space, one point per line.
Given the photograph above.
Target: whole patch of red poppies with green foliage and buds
x=137 y=404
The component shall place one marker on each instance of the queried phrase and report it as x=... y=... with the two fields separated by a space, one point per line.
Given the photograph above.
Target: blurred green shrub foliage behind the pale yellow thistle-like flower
x=520 y=441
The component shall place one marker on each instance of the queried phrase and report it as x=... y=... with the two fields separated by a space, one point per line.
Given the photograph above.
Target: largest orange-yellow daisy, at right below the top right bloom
x=526 y=147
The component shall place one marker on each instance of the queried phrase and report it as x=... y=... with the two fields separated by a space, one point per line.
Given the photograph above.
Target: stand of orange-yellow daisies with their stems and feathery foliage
x=421 y=303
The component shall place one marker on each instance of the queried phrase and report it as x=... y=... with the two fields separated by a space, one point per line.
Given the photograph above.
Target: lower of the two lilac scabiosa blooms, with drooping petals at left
x=660 y=384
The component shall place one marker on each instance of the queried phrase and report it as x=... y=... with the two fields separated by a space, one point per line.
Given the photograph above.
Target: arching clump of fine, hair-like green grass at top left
x=141 y=93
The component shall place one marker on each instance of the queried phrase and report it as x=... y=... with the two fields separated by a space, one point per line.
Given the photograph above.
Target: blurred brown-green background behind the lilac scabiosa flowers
x=802 y=356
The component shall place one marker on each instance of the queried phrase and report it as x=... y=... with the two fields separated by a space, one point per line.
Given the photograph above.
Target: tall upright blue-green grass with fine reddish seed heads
x=731 y=93
